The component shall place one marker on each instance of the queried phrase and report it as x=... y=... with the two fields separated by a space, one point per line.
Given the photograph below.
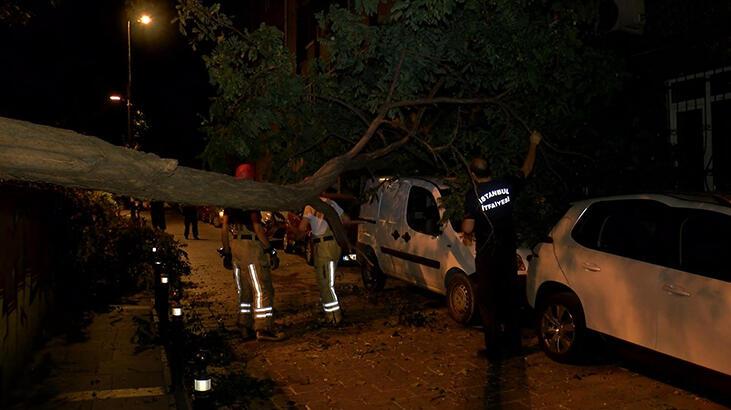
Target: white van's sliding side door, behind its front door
x=391 y=215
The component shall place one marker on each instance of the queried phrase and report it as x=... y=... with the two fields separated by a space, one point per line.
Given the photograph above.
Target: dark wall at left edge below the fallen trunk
x=26 y=276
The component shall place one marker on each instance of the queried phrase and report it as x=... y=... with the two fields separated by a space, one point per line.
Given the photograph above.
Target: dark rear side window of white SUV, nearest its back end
x=637 y=229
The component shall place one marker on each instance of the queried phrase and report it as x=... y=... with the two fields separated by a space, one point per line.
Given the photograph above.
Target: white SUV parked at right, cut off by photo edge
x=646 y=269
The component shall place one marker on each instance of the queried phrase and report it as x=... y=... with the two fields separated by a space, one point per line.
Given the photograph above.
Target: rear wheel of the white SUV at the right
x=561 y=327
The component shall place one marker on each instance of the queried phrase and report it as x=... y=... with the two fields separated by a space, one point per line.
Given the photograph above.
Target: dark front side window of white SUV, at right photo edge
x=705 y=238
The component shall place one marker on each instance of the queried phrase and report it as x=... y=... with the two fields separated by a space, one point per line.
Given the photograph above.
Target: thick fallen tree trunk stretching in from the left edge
x=37 y=153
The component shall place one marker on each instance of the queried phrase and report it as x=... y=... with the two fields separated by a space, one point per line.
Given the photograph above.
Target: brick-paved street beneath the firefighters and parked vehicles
x=374 y=361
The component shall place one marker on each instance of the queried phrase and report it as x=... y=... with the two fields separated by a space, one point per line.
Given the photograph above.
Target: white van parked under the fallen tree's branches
x=402 y=236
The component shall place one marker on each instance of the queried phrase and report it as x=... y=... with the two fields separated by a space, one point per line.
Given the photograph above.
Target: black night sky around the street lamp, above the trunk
x=61 y=67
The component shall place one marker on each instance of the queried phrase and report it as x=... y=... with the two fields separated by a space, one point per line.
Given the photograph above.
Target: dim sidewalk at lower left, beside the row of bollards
x=114 y=366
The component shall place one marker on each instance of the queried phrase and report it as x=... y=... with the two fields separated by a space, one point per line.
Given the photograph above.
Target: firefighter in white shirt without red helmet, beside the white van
x=326 y=256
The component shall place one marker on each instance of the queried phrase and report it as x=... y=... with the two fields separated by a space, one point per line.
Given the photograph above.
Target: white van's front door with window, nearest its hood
x=421 y=242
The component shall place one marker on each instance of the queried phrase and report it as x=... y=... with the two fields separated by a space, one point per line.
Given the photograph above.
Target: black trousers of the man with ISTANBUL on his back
x=498 y=299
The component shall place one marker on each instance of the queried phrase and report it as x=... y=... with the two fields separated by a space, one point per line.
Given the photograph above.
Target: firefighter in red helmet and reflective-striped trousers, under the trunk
x=247 y=251
